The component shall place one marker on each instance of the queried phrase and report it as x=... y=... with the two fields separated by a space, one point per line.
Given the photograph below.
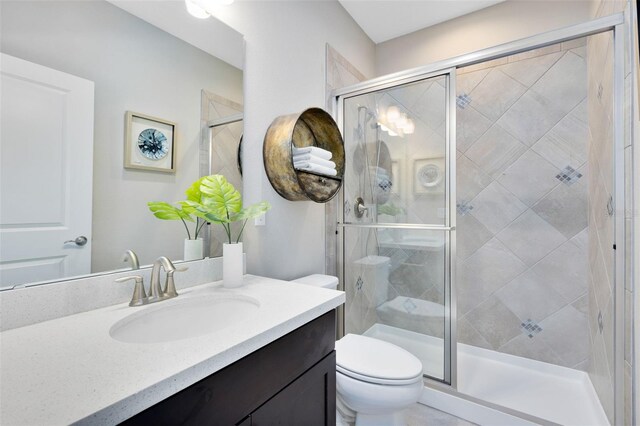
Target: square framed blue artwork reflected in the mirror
x=150 y=143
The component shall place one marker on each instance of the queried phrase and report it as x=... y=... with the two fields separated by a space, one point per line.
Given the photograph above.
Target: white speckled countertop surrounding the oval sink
x=71 y=370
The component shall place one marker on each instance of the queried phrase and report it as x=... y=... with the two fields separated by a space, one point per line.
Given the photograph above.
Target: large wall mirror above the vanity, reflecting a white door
x=115 y=62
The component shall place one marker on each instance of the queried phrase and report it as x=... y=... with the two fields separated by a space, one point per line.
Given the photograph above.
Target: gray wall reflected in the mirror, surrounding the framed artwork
x=136 y=67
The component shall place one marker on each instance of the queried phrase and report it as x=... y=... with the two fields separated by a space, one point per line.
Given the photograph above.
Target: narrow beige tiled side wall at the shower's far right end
x=601 y=254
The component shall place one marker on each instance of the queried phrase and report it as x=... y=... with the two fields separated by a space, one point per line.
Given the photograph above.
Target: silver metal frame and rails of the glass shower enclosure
x=615 y=24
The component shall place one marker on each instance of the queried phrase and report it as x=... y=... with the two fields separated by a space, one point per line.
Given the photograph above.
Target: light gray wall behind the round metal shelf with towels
x=285 y=73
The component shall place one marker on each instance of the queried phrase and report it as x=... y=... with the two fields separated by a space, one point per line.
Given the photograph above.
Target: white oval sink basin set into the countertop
x=185 y=318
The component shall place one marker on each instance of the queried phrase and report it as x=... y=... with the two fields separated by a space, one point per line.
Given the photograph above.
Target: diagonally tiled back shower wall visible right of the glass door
x=522 y=171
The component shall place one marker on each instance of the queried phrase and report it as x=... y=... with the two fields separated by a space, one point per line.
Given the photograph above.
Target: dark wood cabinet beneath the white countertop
x=291 y=381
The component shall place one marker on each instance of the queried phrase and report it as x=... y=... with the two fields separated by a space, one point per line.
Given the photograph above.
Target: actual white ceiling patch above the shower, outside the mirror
x=383 y=20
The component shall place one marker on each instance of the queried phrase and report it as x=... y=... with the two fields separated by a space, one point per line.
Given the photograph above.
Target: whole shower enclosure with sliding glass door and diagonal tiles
x=478 y=217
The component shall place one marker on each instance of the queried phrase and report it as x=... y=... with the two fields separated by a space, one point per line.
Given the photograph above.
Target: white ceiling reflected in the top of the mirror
x=210 y=35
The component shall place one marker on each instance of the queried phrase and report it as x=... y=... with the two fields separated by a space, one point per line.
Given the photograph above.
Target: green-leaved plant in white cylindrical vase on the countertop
x=213 y=199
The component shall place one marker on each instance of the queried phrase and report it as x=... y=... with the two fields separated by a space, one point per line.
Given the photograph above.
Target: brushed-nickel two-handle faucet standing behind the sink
x=156 y=293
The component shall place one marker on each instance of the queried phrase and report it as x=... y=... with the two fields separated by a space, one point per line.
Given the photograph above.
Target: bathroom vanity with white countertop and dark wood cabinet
x=277 y=363
